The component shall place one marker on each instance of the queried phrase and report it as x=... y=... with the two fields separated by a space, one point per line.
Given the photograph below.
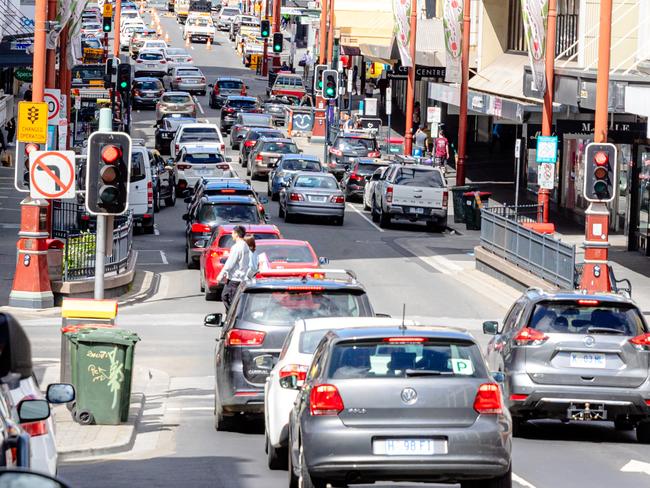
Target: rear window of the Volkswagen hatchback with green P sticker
x=379 y=358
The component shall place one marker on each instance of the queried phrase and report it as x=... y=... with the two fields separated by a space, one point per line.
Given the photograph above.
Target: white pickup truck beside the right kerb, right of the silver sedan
x=411 y=192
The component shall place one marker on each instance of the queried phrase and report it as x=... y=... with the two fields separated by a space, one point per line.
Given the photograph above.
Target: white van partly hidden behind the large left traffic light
x=141 y=187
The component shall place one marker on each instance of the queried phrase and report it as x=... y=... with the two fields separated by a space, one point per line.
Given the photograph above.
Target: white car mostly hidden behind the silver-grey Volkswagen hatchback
x=289 y=373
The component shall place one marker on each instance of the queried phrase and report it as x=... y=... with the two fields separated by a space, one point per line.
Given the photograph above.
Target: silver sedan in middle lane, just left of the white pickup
x=312 y=194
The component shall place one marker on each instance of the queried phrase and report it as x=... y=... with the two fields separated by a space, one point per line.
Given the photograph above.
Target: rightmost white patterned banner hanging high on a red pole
x=534 y=14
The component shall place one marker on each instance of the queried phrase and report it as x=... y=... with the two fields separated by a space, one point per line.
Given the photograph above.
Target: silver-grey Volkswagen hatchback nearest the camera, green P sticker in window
x=399 y=404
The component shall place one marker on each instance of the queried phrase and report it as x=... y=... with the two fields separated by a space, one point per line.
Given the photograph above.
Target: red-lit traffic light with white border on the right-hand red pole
x=600 y=172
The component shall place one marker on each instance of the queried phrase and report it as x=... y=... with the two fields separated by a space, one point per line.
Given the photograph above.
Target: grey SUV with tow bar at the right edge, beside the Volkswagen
x=572 y=356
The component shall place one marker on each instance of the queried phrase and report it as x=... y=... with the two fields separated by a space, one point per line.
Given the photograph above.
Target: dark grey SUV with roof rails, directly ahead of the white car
x=262 y=314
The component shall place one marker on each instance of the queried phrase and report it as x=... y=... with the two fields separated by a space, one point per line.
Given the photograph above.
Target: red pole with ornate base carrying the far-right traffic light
x=595 y=273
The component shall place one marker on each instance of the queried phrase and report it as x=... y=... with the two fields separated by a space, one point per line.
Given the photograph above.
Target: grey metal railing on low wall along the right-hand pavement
x=505 y=236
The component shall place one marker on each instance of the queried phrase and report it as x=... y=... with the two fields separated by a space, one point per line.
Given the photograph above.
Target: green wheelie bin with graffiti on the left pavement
x=102 y=367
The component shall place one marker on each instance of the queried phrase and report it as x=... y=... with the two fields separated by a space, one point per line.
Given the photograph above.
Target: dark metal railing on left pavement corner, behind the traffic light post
x=79 y=251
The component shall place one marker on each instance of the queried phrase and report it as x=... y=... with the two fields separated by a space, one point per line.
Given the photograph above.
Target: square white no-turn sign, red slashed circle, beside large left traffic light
x=51 y=174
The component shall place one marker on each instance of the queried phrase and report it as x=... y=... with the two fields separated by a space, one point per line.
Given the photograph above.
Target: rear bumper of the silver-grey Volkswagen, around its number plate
x=339 y=453
